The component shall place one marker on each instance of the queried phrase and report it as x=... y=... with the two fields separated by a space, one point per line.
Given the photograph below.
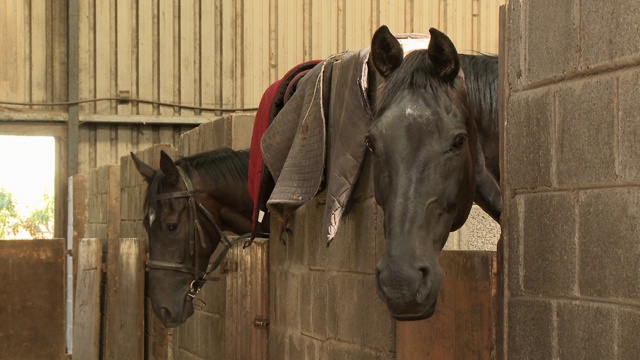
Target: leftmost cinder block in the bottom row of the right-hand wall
x=530 y=329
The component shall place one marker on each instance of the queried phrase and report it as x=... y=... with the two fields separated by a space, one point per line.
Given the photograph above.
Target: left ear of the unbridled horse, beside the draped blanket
x=386 y=51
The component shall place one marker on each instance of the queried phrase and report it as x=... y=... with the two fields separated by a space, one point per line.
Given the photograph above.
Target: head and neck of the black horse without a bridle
x=434 y=143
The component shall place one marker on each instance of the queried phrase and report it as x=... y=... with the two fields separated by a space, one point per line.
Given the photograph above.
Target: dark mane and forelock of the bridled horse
x=221 y=165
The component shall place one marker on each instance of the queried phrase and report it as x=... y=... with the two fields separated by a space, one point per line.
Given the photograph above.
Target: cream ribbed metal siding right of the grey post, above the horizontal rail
x=225 y=53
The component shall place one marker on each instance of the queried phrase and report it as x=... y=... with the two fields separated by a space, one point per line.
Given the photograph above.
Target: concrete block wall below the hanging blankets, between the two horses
x=323 y=299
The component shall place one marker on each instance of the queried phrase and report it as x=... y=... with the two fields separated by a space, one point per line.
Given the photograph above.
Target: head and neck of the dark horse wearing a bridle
x=189 y=205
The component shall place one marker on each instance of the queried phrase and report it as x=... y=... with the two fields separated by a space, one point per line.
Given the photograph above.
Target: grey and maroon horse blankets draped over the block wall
x=314 y=139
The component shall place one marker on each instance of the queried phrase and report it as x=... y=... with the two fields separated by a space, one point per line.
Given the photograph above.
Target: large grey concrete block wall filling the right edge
x=571 y=90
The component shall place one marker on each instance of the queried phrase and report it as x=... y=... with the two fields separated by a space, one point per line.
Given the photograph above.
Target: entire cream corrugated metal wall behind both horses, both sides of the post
x=210 y=54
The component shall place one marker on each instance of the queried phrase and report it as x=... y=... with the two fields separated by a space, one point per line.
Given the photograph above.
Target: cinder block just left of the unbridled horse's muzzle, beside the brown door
x=364 y=319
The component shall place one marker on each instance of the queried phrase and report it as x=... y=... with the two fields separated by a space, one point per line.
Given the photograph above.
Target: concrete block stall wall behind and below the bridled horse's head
x=202 y=336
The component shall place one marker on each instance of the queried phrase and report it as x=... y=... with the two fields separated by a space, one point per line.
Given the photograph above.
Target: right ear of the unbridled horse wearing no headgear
x=443 y=55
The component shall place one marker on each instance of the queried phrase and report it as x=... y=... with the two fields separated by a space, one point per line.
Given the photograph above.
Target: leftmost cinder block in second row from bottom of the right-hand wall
x=549 y=233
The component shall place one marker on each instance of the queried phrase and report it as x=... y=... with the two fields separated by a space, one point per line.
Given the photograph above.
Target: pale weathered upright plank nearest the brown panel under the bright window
x=86 y=323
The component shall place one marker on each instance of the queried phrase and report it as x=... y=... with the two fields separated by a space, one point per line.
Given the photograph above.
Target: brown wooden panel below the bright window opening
x=33 y=299
